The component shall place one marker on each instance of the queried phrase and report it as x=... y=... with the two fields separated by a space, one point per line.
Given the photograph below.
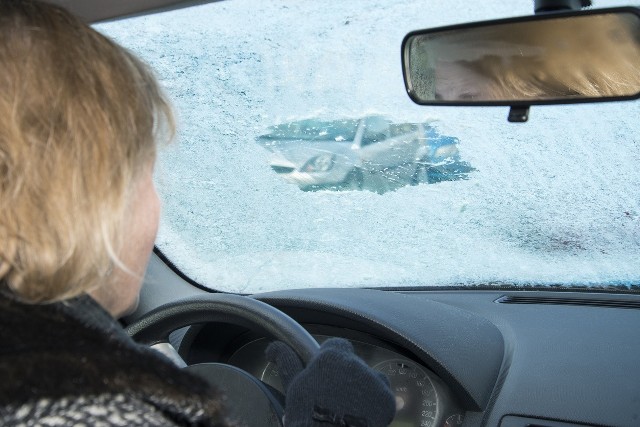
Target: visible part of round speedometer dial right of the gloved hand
x=416 y=397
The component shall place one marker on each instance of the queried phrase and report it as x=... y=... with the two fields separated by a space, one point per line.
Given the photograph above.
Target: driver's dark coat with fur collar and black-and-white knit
x=71 y=363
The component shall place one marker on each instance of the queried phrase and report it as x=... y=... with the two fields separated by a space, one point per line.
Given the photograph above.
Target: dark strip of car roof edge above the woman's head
x=101 y=10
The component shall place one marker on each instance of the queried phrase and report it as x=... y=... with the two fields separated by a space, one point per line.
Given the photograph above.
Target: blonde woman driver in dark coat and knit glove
x=80 y=118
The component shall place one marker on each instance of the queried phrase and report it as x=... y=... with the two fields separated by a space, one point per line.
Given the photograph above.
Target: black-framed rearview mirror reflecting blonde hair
x=541 y=59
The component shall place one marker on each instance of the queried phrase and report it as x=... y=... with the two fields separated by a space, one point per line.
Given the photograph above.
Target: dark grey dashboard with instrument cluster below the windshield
x=469 y=358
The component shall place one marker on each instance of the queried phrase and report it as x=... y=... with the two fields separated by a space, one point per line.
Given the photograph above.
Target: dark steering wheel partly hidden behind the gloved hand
x=253 y=403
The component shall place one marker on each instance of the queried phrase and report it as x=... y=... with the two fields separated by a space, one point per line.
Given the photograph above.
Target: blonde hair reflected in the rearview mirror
x=568 y=71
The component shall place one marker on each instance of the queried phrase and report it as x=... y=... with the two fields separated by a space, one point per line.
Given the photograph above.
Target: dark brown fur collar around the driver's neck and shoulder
x=76 y=348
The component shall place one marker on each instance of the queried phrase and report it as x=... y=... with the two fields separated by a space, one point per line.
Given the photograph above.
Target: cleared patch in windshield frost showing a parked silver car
x=370 y=153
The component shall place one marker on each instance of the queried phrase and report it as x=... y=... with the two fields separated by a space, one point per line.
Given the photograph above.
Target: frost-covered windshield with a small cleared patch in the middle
x=300 y=161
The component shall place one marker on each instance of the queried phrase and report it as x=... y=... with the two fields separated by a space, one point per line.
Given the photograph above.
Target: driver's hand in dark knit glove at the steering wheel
x=336 y=388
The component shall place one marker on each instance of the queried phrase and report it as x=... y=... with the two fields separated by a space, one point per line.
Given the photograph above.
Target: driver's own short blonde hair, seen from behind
x=79 y=117
